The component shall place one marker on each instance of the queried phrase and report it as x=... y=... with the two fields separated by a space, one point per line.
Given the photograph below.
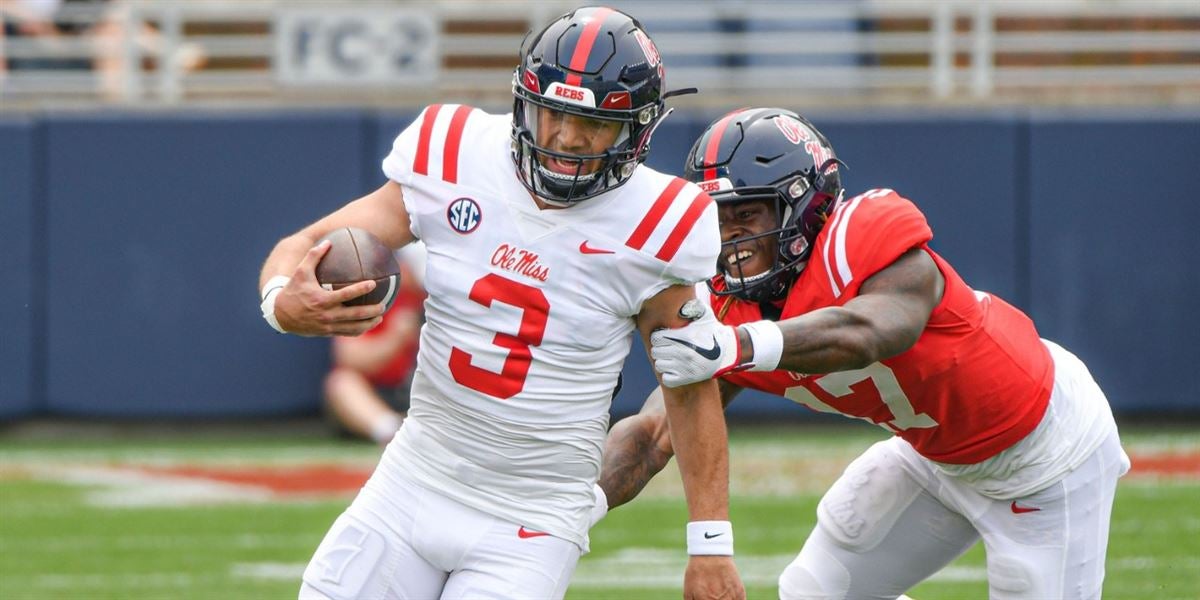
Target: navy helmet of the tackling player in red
x=769 y=154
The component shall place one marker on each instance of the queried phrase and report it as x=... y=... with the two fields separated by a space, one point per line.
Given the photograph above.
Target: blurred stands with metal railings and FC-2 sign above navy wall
x=895 y=52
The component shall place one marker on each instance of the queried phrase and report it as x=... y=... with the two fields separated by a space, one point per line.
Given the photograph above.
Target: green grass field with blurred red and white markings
x=145 y=518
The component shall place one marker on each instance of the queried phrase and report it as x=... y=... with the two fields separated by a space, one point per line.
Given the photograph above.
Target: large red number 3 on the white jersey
x=535 y=311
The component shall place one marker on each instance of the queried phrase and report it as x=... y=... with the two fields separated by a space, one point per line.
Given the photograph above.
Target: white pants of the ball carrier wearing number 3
x=419 y=545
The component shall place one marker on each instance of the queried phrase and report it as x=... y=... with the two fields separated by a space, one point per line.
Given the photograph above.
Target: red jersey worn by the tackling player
x=977 y=381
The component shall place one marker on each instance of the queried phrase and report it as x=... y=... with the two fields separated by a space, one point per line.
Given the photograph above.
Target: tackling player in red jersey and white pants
x=841 y=305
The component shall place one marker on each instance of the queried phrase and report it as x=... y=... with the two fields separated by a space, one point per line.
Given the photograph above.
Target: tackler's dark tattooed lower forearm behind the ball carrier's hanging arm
x=639 y=447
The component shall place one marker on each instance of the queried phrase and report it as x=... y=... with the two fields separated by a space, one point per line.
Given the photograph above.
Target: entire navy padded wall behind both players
x=133 y=245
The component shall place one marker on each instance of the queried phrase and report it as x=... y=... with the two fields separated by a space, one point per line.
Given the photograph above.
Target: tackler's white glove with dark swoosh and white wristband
x=707 y=349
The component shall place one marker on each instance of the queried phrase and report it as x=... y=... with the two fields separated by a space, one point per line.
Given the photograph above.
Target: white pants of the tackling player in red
x=895 y=519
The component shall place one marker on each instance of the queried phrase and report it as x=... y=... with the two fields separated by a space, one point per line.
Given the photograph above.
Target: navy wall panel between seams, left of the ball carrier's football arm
x=158 y=227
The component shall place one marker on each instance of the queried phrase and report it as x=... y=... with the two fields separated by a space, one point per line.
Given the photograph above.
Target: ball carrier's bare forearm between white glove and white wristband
x=701 y=445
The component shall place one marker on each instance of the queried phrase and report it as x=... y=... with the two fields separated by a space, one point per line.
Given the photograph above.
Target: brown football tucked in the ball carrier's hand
x=357 y=255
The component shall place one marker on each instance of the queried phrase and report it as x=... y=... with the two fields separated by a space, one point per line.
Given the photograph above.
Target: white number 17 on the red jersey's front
x=843 y=386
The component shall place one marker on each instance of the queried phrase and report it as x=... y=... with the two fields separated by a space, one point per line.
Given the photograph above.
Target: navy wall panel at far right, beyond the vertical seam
x=1115 y=256
